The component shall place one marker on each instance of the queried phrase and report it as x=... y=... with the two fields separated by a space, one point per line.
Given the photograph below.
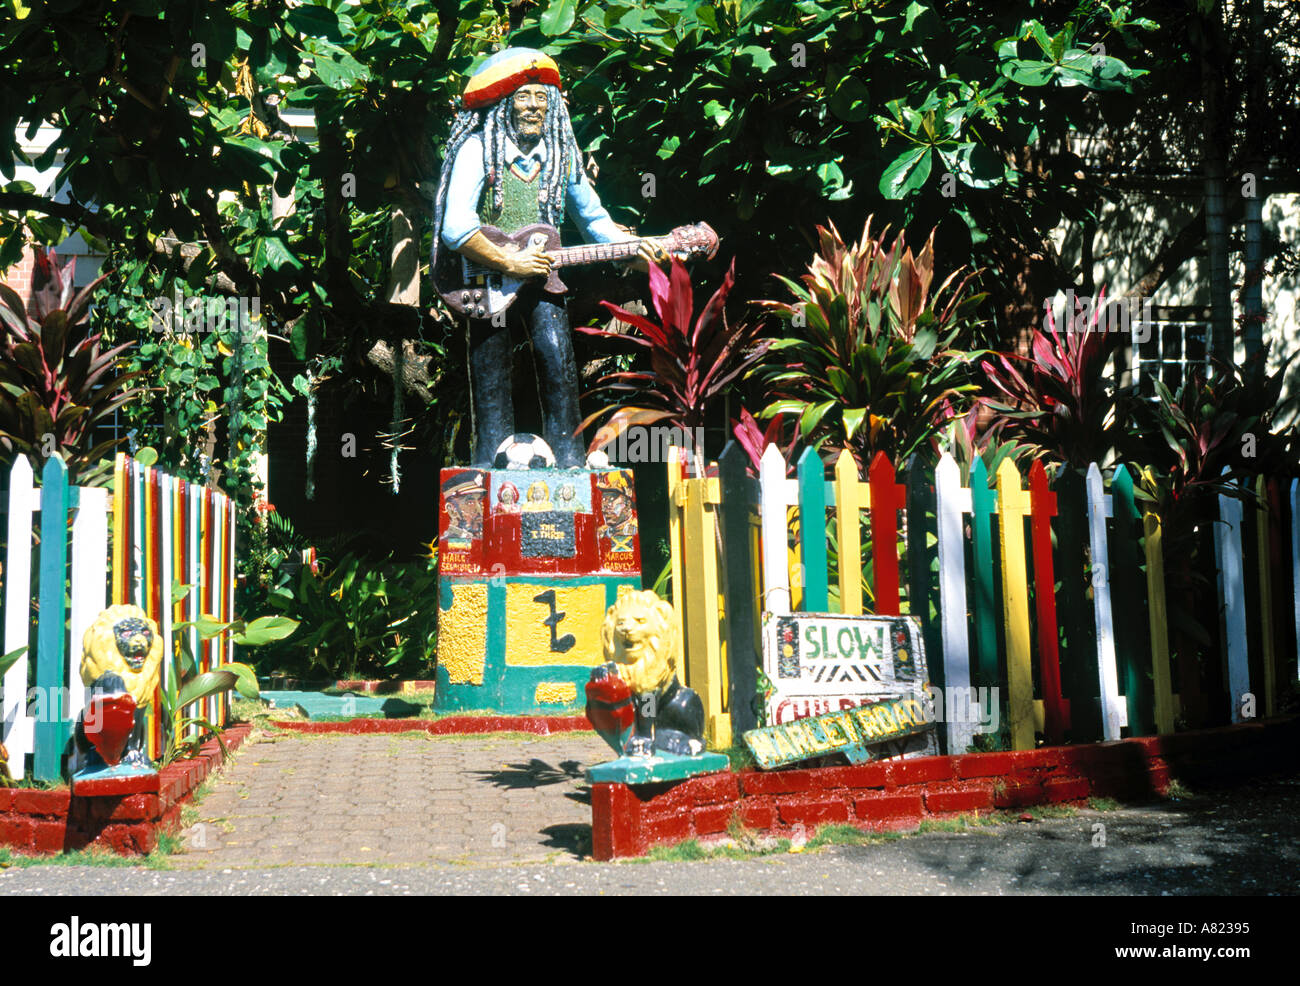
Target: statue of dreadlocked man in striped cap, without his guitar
x=513 y=162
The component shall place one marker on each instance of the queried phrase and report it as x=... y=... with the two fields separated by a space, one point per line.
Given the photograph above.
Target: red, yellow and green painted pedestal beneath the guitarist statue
x=528 y=563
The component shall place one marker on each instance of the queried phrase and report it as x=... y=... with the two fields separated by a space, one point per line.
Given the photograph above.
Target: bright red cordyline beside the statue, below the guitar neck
x=694 y=360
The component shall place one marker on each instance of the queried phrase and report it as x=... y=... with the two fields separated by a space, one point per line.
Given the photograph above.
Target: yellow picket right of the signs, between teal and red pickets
x=1013 y=507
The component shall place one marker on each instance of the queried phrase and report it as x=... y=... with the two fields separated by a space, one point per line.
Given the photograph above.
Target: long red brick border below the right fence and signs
x=627 y=821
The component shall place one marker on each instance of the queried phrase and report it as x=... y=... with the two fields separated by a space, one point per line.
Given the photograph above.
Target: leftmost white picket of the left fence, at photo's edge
x=24 y=501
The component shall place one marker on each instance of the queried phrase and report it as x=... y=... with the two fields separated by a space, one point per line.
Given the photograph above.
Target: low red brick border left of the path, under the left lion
x=128 y=823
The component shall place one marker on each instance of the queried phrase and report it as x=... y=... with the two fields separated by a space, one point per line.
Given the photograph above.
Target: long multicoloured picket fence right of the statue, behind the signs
x=1056 y=595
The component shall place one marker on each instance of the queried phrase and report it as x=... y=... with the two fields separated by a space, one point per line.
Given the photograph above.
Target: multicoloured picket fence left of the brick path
x=158 y=542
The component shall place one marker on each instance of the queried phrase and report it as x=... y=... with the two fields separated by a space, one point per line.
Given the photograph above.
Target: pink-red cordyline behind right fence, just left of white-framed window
x=1056 y=401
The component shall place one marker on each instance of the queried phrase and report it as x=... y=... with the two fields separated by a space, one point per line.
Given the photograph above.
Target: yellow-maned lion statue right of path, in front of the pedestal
x=635 y=699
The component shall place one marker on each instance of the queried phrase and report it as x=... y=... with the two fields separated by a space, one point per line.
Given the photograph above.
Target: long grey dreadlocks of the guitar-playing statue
x=497 y=124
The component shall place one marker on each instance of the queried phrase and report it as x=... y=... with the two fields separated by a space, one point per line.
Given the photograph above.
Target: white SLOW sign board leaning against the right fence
x=821 y=663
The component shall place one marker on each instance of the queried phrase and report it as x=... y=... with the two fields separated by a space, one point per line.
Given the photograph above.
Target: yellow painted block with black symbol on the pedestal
x=575 y=639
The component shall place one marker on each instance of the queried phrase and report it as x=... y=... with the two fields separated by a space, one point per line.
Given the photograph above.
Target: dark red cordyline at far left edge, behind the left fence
x=55 y=380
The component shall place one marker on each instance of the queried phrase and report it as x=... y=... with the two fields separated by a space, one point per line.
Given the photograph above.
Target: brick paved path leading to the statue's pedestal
x=396 y=799
